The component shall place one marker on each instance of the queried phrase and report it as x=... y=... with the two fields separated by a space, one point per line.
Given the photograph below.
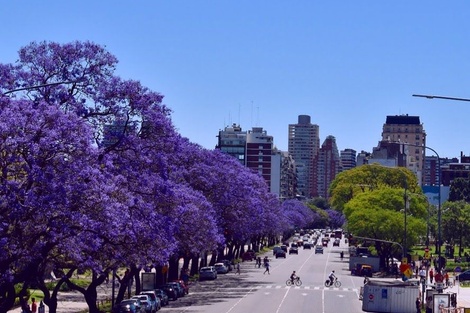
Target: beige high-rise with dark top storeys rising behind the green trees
x=408 y=129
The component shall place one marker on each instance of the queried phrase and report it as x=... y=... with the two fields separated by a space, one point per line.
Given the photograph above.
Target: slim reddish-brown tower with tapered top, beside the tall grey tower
x=327 y=165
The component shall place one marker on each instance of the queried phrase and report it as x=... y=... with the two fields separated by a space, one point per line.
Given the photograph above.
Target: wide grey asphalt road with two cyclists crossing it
x=253 y=291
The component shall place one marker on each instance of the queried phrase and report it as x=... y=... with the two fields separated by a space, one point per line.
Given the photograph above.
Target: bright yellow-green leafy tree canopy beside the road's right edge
x=372 y=198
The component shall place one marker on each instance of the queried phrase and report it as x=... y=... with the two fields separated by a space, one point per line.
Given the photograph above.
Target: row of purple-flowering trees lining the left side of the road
x=76 y=194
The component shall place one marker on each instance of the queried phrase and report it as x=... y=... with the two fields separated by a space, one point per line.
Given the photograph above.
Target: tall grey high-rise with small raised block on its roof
x=303 y=145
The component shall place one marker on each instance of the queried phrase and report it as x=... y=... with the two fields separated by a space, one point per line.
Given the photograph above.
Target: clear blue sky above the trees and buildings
x=347 y=64
